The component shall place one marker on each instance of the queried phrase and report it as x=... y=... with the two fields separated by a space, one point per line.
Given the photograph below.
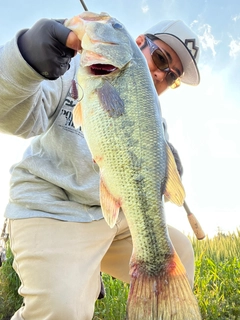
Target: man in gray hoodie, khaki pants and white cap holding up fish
x=58 y=236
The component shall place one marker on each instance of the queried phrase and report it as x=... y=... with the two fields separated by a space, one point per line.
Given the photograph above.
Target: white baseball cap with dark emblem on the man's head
x=184 y=42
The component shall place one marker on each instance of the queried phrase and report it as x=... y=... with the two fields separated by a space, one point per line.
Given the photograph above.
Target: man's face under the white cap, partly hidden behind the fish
x=158 y=76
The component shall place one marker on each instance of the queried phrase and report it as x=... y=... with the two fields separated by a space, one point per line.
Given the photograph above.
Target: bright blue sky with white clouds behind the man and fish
x=203 y=122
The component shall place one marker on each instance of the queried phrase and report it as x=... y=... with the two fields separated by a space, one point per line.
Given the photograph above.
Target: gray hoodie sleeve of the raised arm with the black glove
x=27 y=100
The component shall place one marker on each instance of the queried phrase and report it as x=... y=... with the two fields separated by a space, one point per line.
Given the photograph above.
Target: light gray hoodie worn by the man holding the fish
x=56 y=177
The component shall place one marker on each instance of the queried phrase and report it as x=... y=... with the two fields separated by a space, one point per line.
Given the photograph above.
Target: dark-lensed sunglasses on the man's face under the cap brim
x=161 y=62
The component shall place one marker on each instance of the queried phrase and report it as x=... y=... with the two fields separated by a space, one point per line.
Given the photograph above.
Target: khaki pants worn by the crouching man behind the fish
x=59 y=263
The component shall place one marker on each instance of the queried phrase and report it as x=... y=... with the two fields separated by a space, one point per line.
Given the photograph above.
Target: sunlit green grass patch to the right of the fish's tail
x=217 y=277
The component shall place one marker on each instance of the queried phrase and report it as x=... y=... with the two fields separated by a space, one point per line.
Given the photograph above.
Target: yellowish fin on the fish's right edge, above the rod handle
x=174 y=190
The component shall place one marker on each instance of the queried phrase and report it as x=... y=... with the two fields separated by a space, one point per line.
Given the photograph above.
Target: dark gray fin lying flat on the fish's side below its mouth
x=110 y=100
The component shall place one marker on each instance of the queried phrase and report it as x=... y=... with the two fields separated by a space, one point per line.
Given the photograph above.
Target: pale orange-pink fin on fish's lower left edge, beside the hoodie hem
x=110 y=206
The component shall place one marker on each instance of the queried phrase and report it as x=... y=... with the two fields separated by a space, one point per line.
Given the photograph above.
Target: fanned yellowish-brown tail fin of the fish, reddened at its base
x=166 y=296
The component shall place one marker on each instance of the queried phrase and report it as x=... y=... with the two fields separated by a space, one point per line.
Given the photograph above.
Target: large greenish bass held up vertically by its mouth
x=121 y=120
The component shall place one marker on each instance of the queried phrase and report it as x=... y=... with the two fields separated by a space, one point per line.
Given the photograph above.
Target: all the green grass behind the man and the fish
x=217 y=283
